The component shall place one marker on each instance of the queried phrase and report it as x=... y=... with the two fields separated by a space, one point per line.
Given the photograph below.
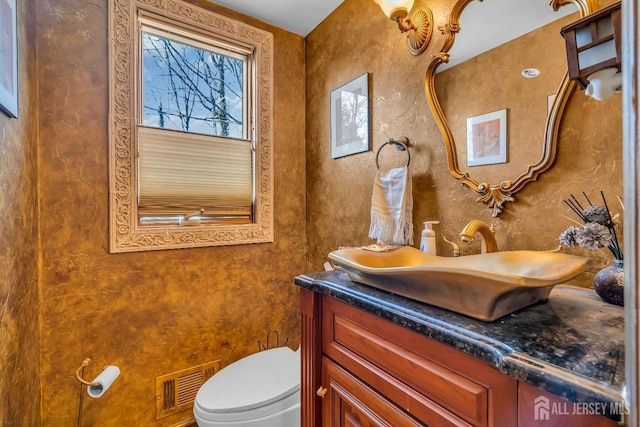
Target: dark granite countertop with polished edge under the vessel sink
x=571 y=346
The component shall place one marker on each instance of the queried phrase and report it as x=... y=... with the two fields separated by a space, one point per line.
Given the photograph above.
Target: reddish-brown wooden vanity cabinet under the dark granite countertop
x=361 y=370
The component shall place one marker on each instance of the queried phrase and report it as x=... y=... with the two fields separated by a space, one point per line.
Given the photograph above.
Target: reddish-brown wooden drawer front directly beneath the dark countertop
x=360 y=341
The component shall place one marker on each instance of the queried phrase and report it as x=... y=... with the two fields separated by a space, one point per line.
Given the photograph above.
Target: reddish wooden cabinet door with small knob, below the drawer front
x=347 y=402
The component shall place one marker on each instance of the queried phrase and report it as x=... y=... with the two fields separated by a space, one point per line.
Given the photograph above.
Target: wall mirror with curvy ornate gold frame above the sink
x=499 y=108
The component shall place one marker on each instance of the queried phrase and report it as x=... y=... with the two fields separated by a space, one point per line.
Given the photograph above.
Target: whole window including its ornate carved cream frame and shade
x=190 y=150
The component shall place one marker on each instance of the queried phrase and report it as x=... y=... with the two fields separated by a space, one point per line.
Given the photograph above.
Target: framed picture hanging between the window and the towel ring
x=350 y=118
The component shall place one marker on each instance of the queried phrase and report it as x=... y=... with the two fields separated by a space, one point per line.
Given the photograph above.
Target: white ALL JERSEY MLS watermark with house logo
x=544 y=410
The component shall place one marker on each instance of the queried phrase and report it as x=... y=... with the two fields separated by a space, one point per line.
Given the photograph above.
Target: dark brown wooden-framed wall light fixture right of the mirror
x=594 y=52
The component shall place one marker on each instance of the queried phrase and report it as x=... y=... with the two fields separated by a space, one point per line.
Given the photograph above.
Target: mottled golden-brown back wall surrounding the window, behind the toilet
x=150 y=313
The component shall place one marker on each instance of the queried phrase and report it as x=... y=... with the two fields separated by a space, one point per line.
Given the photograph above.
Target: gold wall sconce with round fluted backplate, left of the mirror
x=419 y=27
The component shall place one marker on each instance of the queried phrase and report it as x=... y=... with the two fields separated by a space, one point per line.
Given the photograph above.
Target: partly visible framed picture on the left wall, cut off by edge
x=8 y=58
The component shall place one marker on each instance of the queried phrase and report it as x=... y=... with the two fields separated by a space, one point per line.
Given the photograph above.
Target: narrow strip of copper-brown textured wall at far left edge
x=19 y=327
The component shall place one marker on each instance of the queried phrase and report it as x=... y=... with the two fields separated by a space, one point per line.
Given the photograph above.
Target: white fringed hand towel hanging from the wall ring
x=391 y=207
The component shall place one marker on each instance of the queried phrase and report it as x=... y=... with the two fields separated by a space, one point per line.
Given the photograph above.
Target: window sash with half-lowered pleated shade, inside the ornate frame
x=194 y=156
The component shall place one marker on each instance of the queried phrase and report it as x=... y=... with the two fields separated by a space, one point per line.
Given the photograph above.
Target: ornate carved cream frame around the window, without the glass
x=126 y=235
